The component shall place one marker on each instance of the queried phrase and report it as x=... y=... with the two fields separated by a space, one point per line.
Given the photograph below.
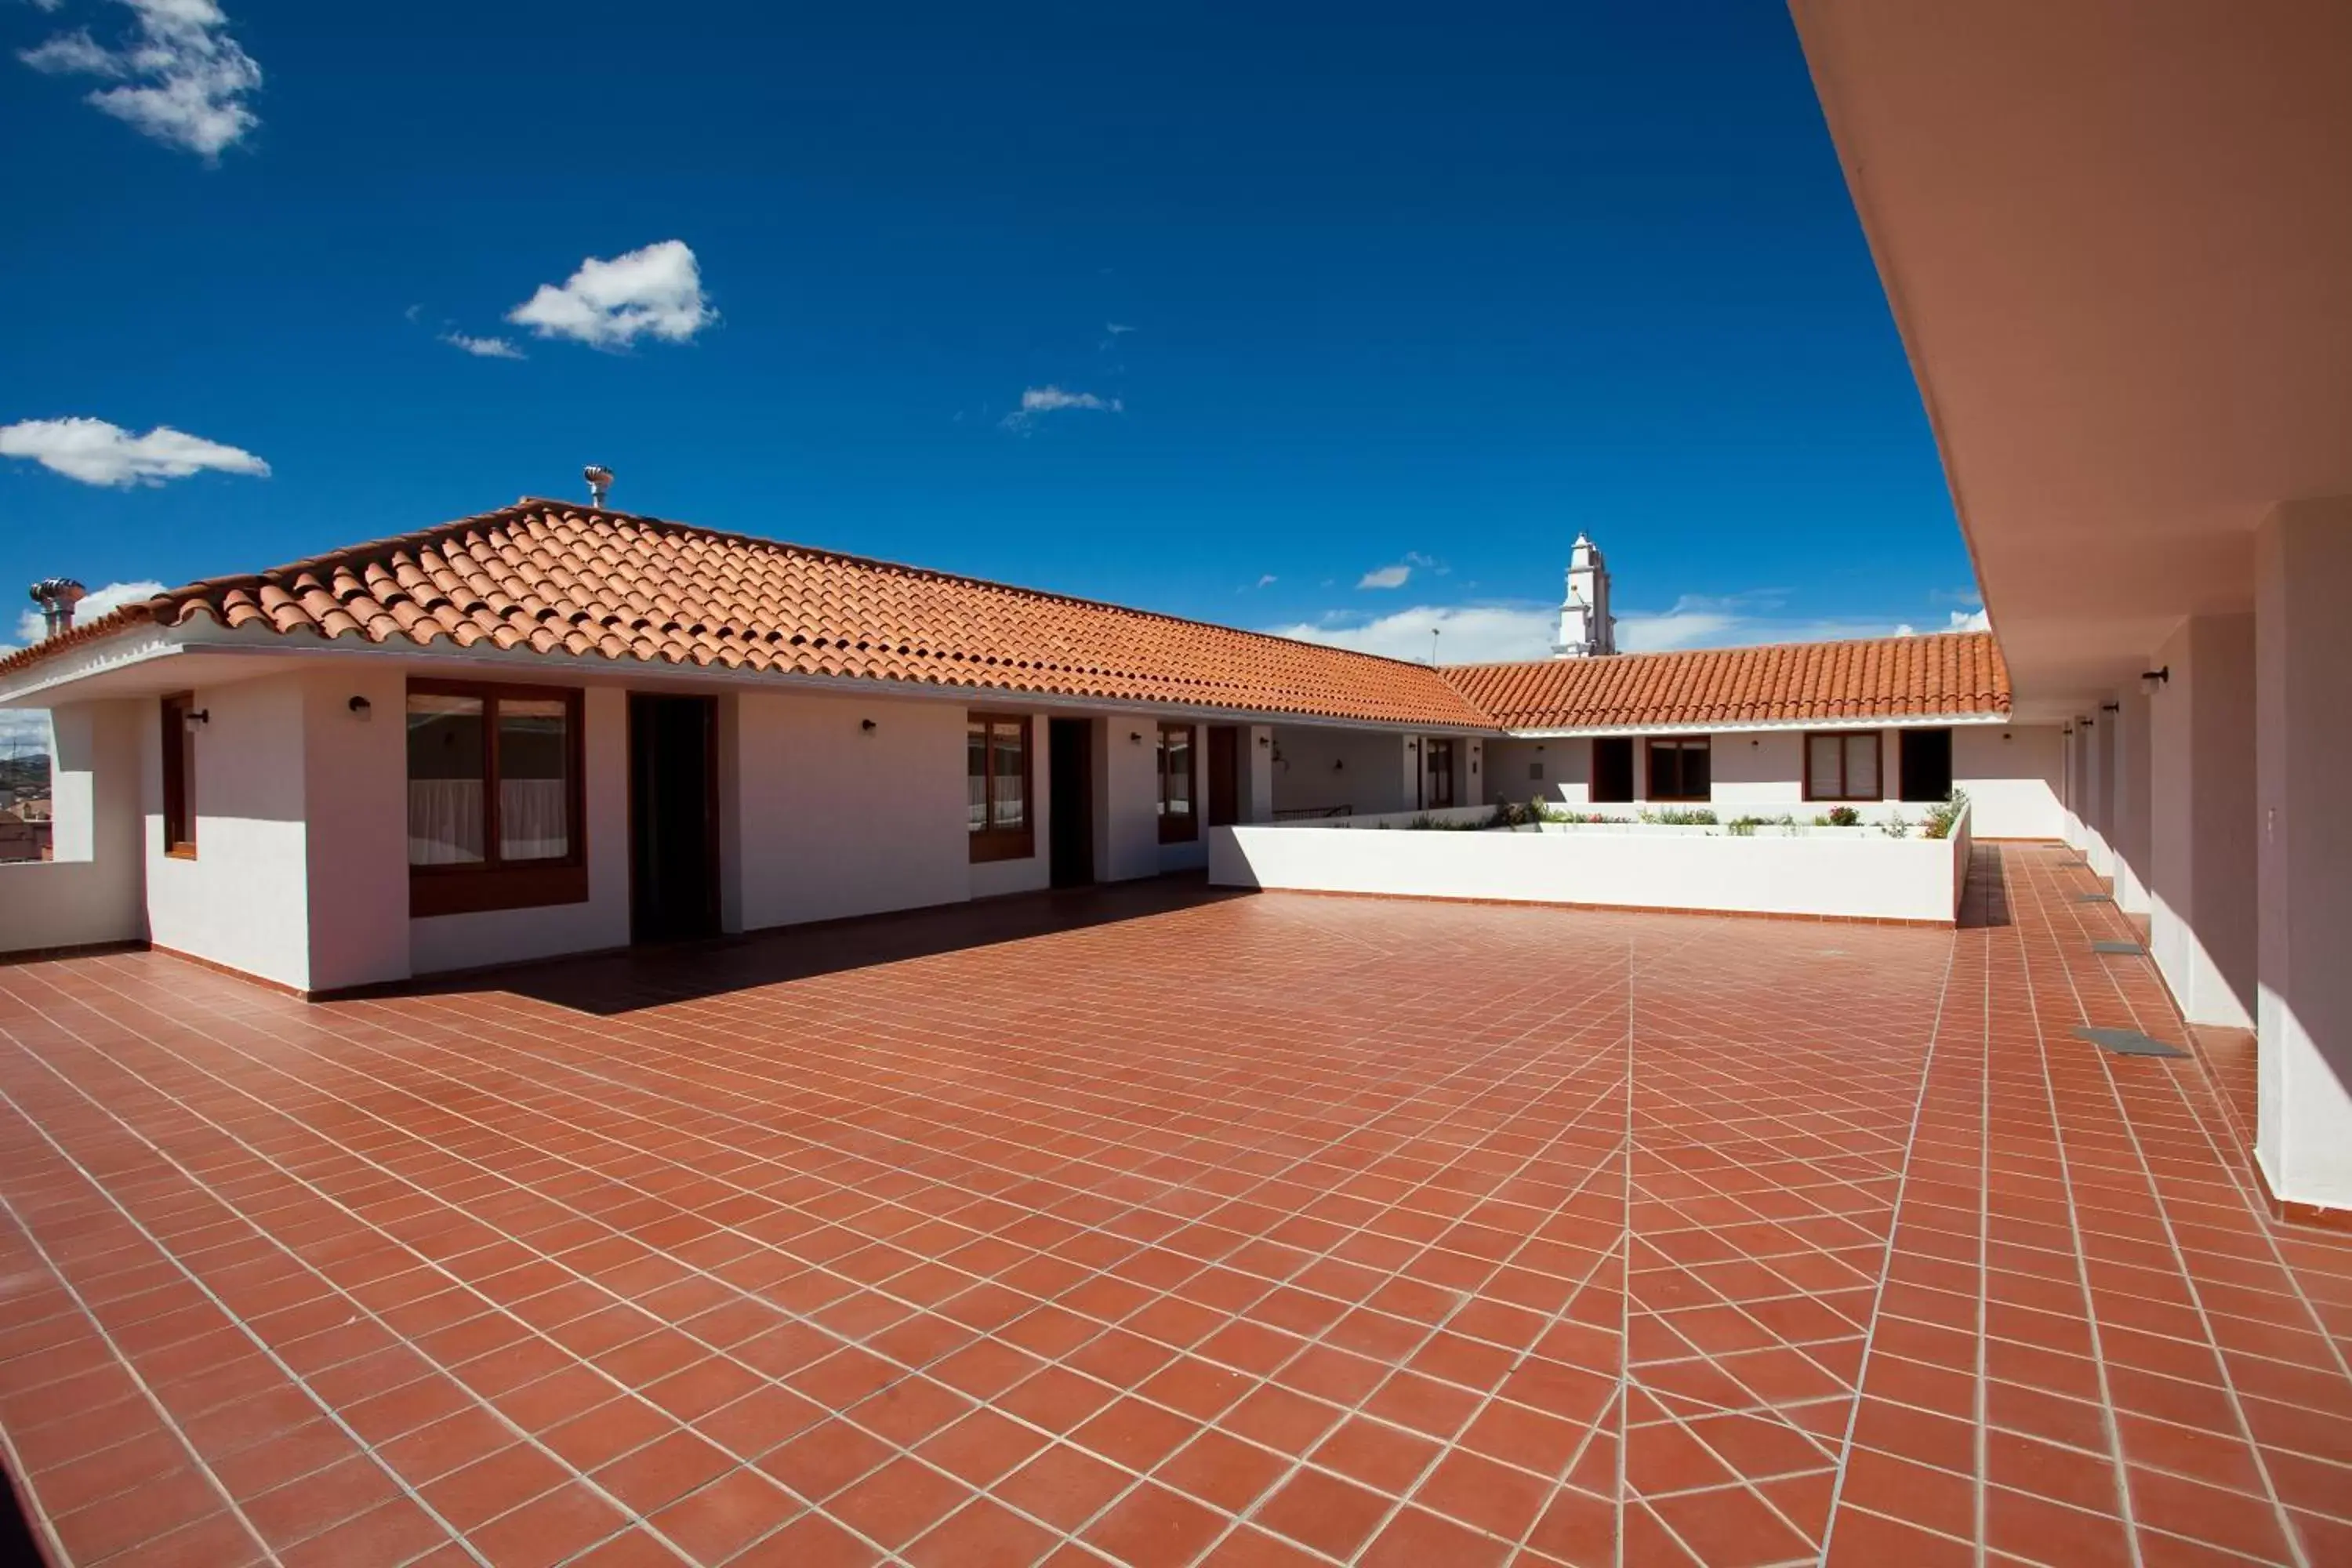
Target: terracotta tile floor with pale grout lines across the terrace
x=1165 y=1228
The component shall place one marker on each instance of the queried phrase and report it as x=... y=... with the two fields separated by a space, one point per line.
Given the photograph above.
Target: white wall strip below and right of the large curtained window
x=512 y=937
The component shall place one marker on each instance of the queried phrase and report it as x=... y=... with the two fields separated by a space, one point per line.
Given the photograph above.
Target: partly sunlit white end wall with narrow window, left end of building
x=246 y=897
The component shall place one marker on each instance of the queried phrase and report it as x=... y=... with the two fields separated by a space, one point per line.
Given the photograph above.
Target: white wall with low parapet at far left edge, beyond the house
x=93 y=890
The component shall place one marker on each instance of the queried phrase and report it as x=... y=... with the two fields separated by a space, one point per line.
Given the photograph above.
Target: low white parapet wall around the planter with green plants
x=1829 y=873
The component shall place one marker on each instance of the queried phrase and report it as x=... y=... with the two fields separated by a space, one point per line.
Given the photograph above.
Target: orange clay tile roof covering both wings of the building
x=544 y=577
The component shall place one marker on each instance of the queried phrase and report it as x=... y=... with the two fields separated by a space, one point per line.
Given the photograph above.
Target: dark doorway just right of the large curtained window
x=674 y=817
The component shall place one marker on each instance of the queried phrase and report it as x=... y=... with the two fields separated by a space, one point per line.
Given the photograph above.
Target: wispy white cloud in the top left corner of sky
x=180 y=76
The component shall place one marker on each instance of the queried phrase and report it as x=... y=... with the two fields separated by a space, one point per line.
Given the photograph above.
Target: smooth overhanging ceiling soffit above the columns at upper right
x=2118 y=246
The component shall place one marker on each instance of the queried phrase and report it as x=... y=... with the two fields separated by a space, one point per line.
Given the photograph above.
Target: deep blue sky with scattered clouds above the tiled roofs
x=1328 y=316
